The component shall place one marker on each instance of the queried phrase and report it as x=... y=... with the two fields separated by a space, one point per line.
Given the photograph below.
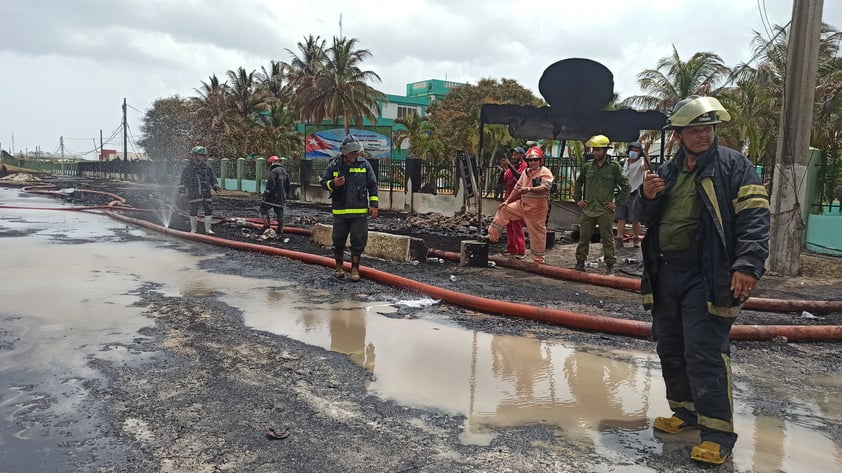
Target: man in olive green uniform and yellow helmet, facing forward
x=596 y=185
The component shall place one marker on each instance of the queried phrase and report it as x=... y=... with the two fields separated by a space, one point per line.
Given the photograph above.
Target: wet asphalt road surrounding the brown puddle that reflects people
x=109 y=365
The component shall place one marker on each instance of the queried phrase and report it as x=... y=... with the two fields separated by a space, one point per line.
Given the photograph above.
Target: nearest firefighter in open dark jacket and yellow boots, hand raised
x=707 y=215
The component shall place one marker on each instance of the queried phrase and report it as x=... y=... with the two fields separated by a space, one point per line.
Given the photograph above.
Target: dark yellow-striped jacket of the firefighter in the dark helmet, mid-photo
x=359 y=191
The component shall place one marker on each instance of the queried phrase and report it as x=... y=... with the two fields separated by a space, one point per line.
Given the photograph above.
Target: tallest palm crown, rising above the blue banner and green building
x=339 y=90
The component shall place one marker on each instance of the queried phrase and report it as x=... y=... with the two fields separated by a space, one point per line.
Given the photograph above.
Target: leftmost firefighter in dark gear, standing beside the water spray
x=197 y=179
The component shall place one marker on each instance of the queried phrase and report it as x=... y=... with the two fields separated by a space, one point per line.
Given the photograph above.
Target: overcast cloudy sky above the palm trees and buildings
x=66 y=65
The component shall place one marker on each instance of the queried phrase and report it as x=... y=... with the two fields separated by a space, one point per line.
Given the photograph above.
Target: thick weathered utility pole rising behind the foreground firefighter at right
x=789 y=209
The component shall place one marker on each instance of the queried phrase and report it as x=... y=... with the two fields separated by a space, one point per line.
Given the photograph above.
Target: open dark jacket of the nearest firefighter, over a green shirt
x=733 y=230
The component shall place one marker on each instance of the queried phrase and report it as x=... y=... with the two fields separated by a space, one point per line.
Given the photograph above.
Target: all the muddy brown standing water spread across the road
x=597 y=398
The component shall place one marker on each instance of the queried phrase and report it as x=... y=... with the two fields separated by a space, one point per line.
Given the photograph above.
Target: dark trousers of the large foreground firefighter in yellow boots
x=694 y=349
